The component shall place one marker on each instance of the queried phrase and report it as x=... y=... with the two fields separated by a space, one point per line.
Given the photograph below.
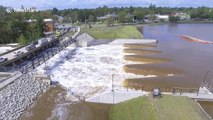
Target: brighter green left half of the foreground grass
x=137 y=109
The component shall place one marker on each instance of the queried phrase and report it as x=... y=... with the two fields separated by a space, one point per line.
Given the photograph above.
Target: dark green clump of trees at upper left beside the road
x=14 y=26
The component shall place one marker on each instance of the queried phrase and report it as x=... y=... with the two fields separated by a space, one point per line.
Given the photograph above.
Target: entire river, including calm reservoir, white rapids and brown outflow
x=175 y=62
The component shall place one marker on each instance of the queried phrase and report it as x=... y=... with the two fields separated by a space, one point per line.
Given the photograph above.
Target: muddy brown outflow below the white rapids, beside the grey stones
x=54 y=105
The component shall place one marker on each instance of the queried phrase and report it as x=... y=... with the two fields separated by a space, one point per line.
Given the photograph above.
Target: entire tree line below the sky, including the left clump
x=14 y=28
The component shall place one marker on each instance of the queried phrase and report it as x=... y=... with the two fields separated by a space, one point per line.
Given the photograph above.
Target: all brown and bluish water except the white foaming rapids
x=187 y=62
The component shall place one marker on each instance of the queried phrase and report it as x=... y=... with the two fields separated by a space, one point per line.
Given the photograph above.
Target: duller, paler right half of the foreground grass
x=178 y=108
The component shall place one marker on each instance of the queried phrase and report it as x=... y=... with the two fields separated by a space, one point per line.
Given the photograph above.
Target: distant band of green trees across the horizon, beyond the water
x=137 y=13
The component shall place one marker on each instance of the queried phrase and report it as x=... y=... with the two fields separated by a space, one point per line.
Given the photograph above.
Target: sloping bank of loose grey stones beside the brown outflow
x=19 y=95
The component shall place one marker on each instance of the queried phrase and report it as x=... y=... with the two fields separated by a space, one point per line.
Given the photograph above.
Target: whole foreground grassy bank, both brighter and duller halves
x=165 y=108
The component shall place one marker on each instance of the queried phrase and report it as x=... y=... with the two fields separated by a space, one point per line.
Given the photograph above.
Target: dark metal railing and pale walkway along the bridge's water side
x=28 y=66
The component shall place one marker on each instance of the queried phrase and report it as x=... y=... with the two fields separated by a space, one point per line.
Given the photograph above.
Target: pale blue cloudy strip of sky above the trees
x=64 y=4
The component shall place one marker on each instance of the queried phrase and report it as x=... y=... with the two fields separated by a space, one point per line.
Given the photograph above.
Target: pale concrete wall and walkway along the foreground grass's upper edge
x=114 y=97
